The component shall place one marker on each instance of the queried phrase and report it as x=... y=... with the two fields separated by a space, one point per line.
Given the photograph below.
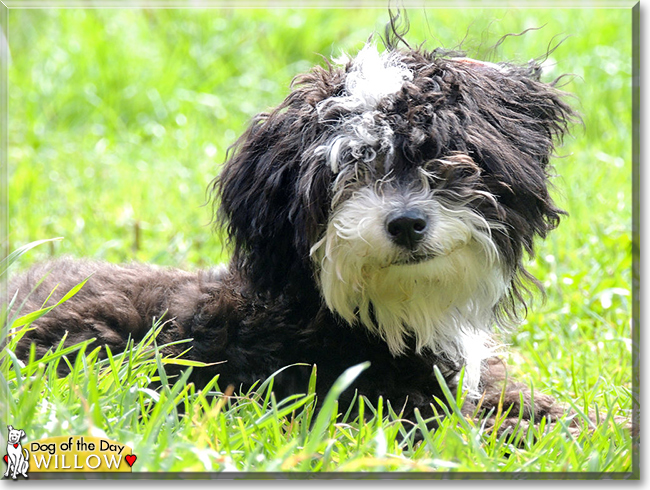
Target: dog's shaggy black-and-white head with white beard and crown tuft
x=406 y=185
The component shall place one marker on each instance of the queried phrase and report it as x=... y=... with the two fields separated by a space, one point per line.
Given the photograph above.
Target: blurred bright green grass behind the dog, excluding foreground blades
x=119 y=119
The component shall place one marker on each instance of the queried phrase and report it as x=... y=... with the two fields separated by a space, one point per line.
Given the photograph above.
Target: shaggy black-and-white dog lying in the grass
x=382 y=212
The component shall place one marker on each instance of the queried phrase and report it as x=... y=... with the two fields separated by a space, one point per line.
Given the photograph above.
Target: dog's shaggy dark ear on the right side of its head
x=522 y=121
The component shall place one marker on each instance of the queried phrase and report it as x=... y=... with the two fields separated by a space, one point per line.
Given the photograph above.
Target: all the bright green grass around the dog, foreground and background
x=118 y=120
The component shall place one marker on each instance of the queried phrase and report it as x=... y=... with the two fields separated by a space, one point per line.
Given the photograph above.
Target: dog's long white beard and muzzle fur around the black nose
x=443 y=293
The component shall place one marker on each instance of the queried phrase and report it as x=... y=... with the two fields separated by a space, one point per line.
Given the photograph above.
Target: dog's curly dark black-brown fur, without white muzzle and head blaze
x=478 y=129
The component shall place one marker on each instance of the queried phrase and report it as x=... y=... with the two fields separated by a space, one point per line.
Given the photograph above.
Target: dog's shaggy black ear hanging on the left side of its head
x=271 y=195
